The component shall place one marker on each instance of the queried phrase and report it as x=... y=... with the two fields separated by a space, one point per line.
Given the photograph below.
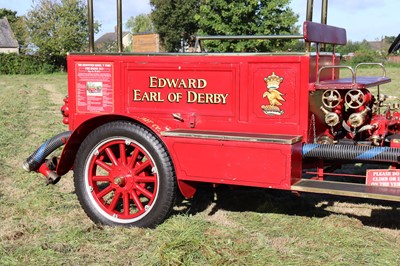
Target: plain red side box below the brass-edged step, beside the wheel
x=237 y=163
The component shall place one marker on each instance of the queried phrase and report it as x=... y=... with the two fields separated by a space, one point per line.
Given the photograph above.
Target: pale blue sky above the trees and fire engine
x=363 y=19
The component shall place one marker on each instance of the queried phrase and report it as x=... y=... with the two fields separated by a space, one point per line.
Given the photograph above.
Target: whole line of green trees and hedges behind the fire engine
x=52 y=28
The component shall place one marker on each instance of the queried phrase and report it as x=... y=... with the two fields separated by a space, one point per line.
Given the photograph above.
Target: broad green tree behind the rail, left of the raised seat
x=246 y=17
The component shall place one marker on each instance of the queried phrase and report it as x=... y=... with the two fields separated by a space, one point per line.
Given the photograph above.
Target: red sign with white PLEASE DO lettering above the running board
x=383 y=177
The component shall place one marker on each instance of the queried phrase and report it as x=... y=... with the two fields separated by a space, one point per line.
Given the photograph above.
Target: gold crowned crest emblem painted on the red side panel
x=274 y=95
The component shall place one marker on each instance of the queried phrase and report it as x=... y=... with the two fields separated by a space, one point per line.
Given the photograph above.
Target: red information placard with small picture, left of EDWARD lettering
x=94 y=87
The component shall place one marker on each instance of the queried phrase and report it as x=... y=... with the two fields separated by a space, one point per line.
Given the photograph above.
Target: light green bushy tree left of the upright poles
x=57 y=27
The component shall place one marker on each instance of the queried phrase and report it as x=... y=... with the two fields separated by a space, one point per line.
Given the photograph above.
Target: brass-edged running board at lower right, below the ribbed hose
x=347 y=189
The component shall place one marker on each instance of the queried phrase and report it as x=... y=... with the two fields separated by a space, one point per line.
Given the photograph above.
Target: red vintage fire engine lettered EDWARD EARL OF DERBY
x=145 y=127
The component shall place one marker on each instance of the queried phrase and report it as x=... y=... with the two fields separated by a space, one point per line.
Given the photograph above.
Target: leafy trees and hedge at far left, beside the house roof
x=49 y=30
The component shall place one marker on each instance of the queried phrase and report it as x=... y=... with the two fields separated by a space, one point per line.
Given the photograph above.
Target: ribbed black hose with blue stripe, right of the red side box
x=351 y=152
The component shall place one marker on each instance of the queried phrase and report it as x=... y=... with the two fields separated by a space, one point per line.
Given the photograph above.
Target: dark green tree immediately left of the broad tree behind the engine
x=174 y=21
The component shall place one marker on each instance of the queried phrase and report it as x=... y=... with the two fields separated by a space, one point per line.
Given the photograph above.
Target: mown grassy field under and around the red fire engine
x=44 y=225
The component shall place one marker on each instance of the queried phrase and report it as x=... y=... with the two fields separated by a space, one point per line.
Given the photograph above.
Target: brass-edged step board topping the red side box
x=233 y=136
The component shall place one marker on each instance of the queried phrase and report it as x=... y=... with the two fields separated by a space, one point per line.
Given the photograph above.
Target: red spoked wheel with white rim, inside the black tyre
x=121 y=179
